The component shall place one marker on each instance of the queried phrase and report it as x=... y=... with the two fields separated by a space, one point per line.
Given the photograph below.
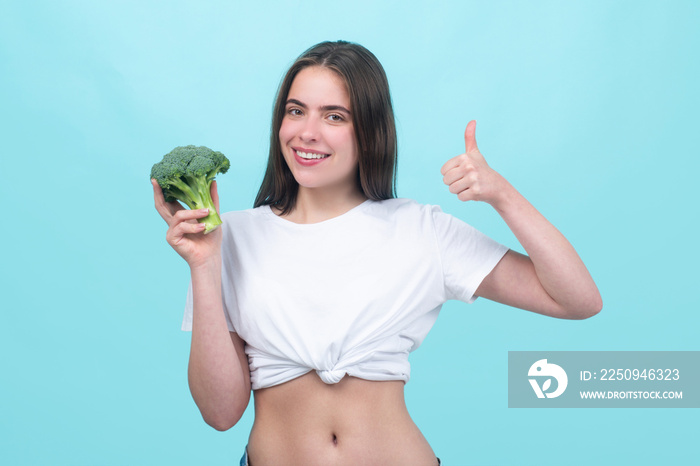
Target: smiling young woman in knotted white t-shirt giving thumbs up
x=315 y=297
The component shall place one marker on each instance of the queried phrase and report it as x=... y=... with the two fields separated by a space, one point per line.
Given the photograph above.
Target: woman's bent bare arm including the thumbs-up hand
x=551 y=280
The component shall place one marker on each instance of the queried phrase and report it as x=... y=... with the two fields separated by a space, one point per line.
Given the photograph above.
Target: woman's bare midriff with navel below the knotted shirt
x=308 y=422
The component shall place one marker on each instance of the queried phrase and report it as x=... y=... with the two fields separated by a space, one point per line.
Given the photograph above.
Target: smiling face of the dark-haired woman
x=317 y=137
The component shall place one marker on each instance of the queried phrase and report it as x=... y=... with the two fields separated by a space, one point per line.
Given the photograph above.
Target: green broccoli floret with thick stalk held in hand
x=186 y=173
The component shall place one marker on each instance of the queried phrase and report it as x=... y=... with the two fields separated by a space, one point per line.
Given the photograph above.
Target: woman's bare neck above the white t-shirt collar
x=314 y=205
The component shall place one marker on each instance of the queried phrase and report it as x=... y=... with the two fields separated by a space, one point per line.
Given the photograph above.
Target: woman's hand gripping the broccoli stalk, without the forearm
x=185 y=233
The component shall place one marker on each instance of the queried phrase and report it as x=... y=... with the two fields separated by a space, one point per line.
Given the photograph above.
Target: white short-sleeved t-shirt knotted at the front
x=351 y=295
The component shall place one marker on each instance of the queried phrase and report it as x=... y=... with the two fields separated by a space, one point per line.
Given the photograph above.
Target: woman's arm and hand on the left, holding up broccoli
x=218 y=372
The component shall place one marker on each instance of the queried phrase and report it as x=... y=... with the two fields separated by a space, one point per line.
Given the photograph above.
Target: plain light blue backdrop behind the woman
x=590 y=108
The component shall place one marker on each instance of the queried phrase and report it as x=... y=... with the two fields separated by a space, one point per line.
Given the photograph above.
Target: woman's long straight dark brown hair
x=372 y=118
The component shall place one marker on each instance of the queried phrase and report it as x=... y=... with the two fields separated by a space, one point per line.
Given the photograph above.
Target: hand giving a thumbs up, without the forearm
x=470 y=177
